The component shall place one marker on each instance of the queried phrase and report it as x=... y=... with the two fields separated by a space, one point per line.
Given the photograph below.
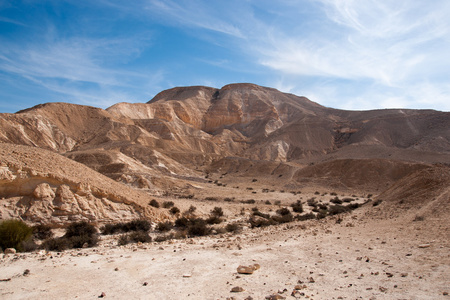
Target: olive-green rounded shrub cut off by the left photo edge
x=13 y=233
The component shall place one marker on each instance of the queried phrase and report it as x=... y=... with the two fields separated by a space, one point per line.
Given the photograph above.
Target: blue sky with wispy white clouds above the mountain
x=348 y=54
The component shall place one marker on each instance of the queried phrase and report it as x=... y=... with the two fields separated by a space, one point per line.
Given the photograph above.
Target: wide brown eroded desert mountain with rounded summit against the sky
x=239 y=131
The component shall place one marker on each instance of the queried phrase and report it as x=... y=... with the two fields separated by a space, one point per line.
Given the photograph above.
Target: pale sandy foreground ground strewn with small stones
x=359 y=258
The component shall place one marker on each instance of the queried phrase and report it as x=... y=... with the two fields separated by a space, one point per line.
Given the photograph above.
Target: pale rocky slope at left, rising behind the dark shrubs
x=41 y=186
